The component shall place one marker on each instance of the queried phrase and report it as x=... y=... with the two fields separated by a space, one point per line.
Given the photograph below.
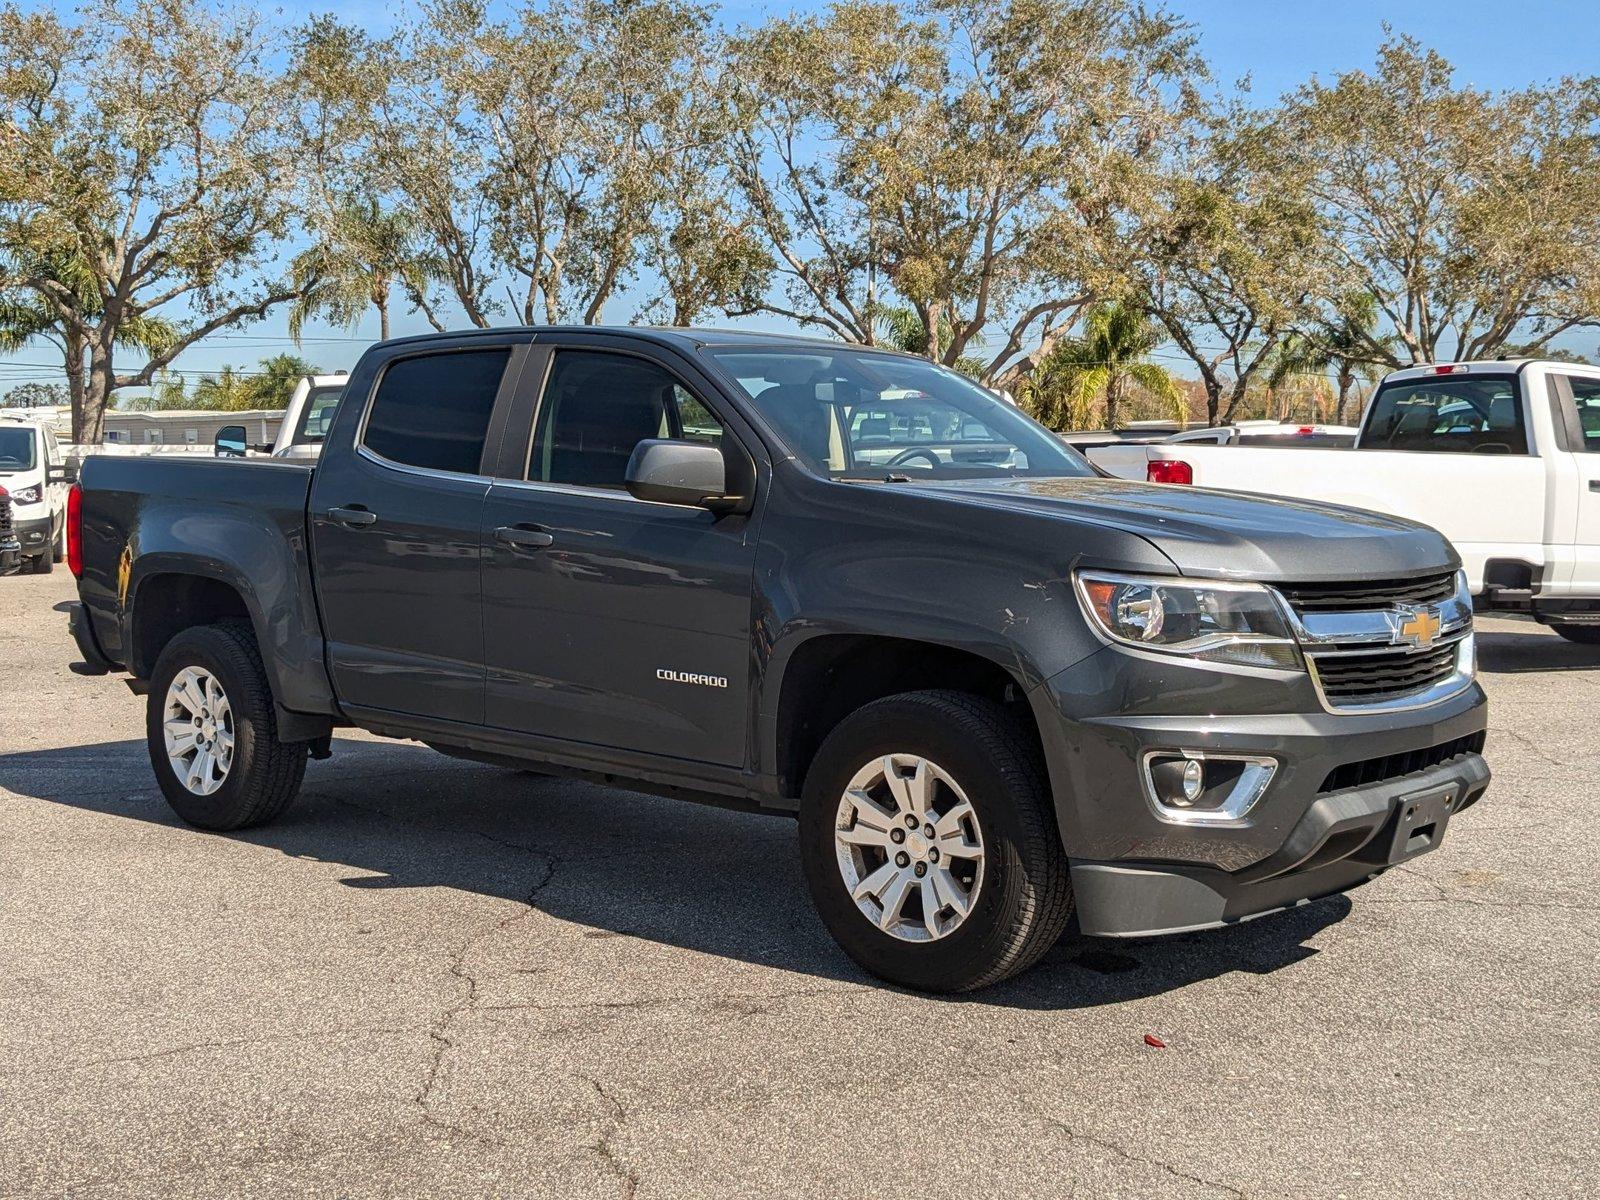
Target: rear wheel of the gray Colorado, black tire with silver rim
x=258 y=777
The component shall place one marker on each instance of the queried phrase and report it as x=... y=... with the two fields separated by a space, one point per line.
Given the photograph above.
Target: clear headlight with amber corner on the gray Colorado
x=1212 y=622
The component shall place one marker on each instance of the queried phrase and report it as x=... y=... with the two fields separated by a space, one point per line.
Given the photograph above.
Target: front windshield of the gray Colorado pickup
x=863 y=415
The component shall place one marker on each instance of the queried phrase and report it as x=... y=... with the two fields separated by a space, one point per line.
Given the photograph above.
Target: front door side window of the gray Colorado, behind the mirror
x=598 y=407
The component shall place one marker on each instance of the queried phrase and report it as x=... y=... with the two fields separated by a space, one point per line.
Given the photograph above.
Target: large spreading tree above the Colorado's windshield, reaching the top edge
x=972 y=161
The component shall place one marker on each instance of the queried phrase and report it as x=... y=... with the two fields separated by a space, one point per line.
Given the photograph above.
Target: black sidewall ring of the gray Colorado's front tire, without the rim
x=905 y=727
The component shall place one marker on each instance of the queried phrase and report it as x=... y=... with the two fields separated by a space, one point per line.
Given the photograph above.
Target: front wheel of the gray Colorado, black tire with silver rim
x=1022 y=902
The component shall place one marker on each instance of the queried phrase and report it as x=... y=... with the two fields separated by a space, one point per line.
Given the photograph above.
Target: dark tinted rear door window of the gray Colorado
x=434 y=410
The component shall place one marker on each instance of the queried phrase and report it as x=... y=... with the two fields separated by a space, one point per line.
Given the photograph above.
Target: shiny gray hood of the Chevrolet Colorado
x=1226 y=534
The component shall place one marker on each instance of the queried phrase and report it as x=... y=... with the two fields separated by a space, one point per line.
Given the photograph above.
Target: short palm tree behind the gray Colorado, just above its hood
x=1105 y=361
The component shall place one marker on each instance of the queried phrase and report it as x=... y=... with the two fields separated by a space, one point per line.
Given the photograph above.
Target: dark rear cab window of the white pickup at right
x=1476 y=415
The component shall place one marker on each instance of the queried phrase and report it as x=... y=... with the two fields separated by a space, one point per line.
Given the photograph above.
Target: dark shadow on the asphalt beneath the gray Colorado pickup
x=622 y=865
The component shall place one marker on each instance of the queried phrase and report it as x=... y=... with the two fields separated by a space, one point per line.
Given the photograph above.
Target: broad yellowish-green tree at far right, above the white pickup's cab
x=1471 y=218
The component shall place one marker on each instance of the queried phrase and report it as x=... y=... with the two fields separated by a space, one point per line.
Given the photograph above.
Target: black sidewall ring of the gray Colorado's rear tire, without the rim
x=206 y=649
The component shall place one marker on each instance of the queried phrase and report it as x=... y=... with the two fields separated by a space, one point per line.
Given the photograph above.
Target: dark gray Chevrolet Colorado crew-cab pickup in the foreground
x=796 y=577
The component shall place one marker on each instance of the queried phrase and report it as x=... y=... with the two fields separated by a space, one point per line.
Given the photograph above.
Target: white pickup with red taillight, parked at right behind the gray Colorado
x=1500 y=457
